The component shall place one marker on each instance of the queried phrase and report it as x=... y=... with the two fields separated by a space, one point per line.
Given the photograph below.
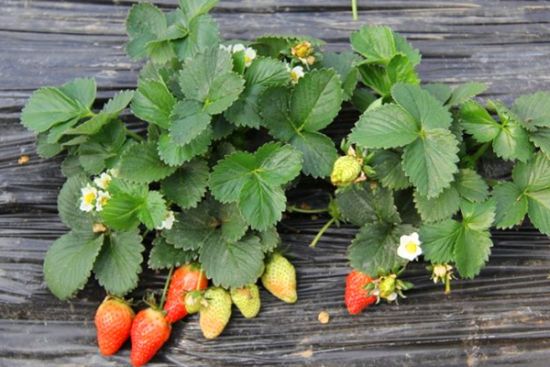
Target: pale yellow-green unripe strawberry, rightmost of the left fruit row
x=279 y=278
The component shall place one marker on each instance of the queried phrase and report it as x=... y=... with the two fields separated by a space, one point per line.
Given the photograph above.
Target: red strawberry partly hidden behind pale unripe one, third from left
x=186 y=278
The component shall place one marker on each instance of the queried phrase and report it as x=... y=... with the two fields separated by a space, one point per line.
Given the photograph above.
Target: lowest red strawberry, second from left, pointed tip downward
x=150 y=331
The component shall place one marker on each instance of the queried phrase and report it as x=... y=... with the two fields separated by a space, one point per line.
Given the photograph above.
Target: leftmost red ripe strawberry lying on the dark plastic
x=113 y=321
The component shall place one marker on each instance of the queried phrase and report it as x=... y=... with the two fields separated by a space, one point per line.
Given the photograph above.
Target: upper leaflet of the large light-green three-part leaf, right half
x=423 y=107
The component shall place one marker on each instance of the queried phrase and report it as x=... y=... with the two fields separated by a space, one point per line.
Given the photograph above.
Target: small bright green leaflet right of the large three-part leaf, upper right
x=477 y=122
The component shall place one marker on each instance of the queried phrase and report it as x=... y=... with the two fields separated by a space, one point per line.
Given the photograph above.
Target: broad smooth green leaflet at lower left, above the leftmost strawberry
x=69 y=262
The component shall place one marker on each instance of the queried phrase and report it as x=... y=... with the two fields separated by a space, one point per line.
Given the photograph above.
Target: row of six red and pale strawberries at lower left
x=188 y=293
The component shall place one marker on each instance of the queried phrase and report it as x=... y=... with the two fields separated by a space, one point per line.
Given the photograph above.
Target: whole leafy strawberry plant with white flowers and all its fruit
x=224 y=128
